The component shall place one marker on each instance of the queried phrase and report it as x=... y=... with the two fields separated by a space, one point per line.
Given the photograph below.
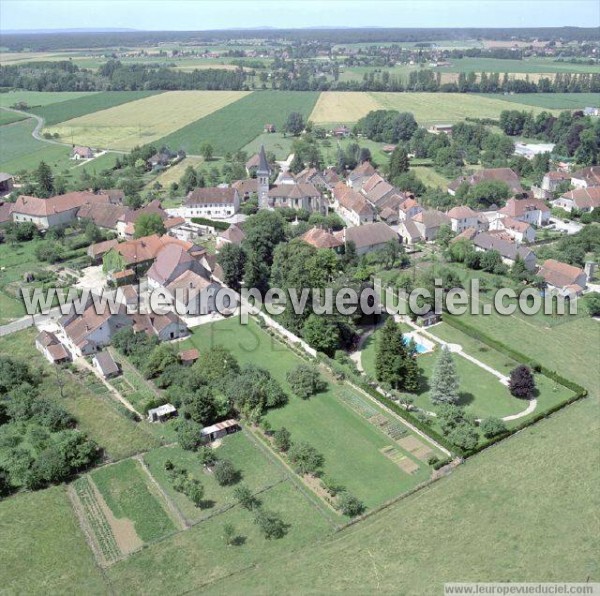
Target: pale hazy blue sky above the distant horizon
x=187 y=15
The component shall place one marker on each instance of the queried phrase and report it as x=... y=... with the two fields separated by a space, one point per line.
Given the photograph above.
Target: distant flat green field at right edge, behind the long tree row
x=529 y=65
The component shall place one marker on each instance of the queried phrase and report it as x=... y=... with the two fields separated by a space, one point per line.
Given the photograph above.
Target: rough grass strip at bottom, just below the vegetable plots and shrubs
x=191 y=559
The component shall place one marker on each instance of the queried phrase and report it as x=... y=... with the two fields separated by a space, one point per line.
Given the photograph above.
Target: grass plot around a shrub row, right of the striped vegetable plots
x=257 y=473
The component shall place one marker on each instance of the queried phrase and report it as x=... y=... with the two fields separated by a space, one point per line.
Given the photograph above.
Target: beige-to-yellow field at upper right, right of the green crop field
x=427 y=108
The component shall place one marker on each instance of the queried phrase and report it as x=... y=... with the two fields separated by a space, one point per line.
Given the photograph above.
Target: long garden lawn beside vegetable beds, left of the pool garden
x=350 y=444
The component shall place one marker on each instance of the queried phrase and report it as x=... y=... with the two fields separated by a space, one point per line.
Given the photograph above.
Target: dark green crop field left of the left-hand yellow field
x=87 y=104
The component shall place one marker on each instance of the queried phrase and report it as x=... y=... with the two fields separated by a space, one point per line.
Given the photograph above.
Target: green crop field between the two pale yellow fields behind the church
x=235 y=125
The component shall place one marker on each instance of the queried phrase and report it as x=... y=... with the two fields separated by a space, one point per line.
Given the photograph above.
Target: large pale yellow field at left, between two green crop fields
x=143 y=121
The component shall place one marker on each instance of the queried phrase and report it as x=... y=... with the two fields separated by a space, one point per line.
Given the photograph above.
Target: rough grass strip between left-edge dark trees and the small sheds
x=96 y=414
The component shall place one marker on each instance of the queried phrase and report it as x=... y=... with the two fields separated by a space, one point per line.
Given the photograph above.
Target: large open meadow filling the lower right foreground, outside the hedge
x=508 y=514
